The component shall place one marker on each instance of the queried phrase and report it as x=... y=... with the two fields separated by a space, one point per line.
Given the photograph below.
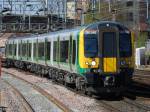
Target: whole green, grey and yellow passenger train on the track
x=95 y=58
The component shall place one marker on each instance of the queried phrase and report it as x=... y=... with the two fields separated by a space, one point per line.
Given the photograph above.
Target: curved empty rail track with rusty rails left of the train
x=43 y=92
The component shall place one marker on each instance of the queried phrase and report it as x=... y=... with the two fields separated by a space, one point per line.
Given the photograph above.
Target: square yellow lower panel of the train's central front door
x=110 y=65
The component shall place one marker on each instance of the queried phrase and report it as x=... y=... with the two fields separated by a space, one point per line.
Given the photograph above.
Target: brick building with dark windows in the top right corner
x=135 y=14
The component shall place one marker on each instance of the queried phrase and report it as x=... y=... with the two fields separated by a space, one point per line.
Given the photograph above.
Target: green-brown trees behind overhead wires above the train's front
x=104 y=14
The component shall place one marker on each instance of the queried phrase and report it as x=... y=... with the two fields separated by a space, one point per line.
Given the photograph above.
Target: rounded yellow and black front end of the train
x=107 y=62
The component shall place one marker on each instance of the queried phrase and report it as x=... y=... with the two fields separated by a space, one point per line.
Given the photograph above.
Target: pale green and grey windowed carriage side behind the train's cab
x=46 y=50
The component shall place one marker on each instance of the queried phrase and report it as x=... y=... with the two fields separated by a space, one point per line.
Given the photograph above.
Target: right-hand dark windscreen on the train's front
x=125 y=45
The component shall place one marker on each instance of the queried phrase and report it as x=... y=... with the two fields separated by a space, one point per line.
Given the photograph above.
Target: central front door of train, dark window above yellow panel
x=109 y=52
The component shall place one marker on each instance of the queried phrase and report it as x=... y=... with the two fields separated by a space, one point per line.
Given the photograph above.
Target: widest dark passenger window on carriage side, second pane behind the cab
x=64 y=51
